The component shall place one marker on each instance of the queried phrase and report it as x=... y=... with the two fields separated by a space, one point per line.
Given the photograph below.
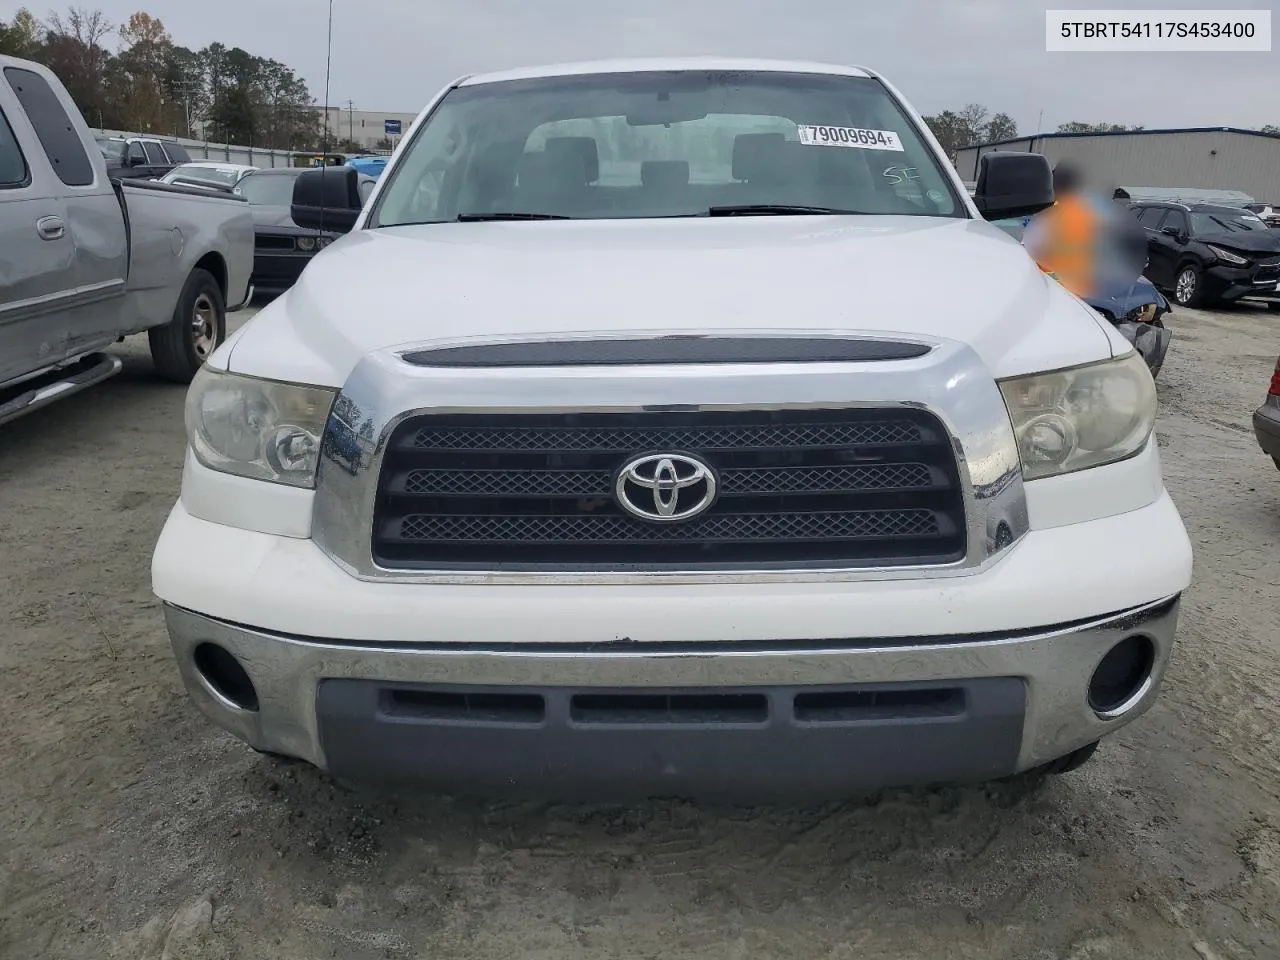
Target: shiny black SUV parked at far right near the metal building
x=1205 y=254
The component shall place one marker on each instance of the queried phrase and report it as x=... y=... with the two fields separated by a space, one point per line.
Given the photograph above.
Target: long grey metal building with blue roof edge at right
x=1196 y=158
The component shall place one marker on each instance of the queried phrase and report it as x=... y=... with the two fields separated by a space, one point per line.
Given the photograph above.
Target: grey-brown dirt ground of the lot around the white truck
x=131 y=829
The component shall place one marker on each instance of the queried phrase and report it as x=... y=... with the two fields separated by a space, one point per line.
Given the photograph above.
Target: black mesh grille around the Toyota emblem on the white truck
x=799 y=488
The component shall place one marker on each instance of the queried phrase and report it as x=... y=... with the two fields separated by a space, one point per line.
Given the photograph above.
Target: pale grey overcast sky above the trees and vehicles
x=395 y=56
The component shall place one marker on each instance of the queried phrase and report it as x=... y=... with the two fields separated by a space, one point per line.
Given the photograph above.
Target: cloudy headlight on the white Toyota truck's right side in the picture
x=1082 y=418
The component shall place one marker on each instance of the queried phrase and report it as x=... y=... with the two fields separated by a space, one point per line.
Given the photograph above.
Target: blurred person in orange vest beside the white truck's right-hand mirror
x=1069 y=239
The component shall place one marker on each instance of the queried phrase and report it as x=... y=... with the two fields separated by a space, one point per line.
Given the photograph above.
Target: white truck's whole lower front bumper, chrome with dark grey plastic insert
x=732 y=720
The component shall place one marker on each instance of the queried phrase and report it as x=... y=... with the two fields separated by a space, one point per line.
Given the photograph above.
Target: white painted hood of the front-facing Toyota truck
x=391 y=287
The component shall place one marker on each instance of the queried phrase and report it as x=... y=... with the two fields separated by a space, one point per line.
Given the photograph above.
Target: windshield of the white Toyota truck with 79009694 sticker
x=673 y=144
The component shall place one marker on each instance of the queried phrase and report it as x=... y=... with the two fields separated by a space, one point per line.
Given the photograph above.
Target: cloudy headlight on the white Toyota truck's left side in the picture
x=260 y=429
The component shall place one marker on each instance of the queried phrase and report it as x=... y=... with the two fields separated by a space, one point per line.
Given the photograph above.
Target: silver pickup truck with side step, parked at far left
x=86 y=260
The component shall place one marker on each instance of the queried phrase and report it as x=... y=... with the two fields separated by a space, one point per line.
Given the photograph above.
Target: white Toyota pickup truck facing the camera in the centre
x=674 y=428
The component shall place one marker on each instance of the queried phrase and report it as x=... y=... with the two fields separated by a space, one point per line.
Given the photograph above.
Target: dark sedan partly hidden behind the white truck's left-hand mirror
x=281 y=248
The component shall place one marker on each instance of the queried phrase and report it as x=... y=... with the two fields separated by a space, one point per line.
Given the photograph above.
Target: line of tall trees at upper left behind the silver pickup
x=134 y=77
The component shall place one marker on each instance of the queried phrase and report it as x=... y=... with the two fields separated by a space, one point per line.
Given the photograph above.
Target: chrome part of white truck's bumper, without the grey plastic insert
x=1057 y=665
